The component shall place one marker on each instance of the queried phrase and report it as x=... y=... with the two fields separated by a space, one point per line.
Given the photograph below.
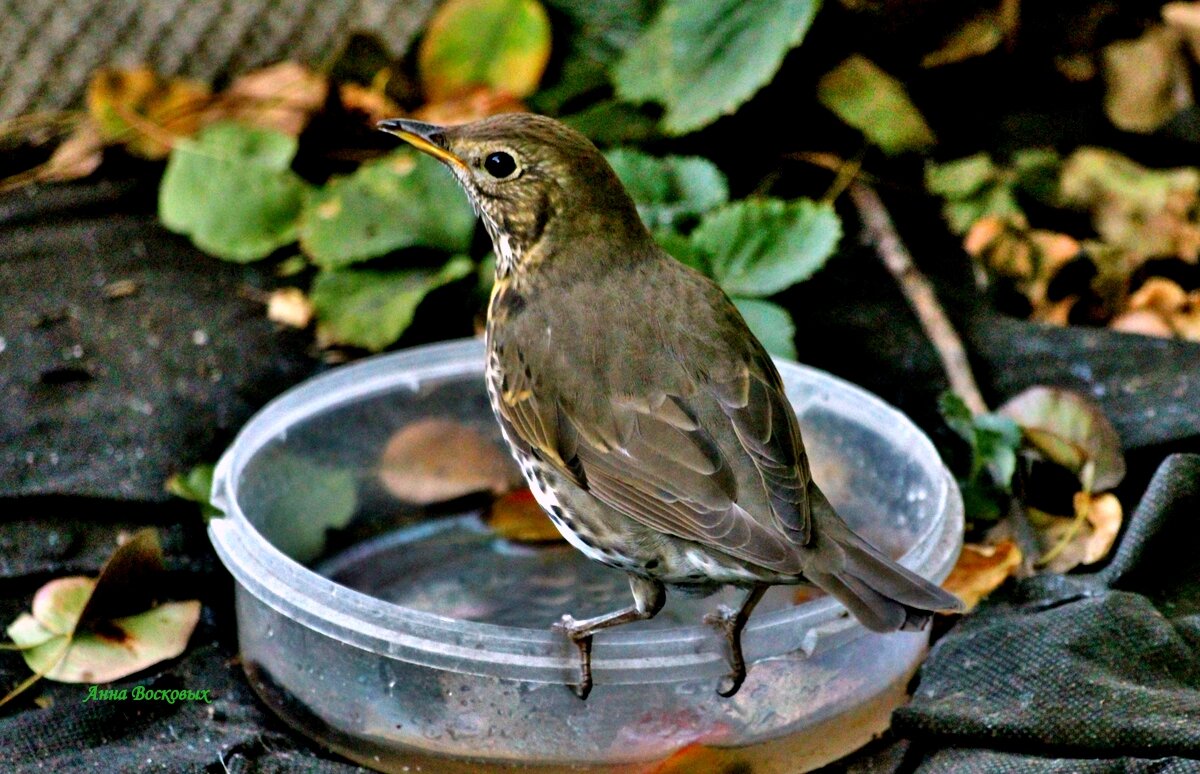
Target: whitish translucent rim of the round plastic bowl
x=530 y=655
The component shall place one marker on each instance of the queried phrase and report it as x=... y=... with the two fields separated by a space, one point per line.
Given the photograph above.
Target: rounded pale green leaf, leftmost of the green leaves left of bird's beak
x=232 y=191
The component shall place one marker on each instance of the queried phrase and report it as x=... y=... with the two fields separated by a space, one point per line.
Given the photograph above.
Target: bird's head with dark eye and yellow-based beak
x=530 y=177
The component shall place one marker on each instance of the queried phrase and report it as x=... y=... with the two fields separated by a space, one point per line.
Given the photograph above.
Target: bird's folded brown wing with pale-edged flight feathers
x=649 y=455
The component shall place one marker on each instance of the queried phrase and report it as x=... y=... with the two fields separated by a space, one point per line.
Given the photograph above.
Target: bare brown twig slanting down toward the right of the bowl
x=920 y=293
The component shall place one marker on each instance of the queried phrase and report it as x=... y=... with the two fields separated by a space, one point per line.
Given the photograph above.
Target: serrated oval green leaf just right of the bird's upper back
x=761 y=247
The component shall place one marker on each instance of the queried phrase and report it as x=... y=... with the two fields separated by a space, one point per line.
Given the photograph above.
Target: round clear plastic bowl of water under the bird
x=428 y=646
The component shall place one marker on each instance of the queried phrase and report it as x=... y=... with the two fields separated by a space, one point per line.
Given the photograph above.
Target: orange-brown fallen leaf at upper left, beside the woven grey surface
x=145 y=111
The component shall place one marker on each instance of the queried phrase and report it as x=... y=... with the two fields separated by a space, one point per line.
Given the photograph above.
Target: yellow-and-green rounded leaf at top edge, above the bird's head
x=499 y=44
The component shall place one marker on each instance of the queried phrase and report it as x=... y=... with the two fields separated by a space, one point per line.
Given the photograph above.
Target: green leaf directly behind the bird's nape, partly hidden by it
x=671 y=189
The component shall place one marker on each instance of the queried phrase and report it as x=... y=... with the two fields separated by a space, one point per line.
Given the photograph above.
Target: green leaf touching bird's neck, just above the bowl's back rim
x=373 y=309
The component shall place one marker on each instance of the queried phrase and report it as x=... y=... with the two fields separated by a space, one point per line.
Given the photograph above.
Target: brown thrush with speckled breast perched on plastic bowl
x=650 y=423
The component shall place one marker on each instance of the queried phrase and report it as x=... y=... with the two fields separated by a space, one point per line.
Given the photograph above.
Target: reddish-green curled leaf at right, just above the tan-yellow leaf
x=1072 y=431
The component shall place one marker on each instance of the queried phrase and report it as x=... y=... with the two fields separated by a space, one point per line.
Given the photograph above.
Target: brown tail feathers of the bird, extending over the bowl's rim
x=884 y=596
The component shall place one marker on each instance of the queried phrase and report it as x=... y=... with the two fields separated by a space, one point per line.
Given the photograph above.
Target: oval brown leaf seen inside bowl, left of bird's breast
x=436 y=460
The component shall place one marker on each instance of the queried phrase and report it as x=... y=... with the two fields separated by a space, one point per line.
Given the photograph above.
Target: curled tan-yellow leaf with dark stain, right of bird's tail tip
x=1085 y=539
